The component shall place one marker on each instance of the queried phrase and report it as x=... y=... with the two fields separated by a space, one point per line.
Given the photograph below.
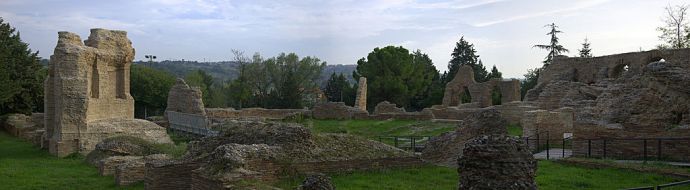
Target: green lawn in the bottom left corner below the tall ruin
x=23 y=166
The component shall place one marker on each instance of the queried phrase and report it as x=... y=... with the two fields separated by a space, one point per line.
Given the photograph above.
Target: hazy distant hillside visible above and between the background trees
x=227 y=70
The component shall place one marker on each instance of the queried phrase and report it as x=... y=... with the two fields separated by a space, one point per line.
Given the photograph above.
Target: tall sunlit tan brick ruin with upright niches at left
x=87 y=93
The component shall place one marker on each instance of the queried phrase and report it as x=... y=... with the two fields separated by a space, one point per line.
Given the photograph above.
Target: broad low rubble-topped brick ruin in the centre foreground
x=264 y=150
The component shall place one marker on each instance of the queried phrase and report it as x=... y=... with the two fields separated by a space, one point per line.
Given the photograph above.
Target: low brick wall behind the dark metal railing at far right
x=622 y=143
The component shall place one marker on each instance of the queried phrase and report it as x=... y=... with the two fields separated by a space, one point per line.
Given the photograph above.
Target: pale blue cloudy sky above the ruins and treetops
x=341 y=32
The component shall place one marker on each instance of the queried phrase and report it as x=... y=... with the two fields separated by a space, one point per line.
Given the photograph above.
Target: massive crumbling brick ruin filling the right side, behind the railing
x=641 y=95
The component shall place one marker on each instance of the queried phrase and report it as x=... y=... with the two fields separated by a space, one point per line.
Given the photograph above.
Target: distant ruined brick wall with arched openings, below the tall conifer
x=480 y=92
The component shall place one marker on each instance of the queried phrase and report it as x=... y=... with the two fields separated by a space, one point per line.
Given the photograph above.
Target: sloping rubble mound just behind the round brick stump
x=446 y=148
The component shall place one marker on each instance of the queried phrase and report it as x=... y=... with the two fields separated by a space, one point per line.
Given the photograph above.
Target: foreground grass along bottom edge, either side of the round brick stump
x=550 y=175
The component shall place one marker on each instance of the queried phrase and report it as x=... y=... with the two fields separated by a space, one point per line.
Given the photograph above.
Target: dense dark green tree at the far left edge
x=21 y=78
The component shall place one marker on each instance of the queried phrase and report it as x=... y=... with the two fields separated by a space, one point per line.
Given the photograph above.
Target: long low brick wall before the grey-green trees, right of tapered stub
x=230 y=113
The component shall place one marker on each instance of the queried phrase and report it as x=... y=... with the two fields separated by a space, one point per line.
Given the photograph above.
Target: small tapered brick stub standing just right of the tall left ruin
x=185 y=99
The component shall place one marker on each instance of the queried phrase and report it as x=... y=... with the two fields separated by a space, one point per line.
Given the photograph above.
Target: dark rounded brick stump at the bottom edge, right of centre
x=496 y=162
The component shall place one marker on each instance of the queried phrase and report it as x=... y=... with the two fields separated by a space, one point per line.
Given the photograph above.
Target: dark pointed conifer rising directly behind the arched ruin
x=465 y=54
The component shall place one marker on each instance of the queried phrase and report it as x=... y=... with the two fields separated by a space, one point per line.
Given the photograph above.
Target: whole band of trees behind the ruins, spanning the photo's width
x=394 y=74
